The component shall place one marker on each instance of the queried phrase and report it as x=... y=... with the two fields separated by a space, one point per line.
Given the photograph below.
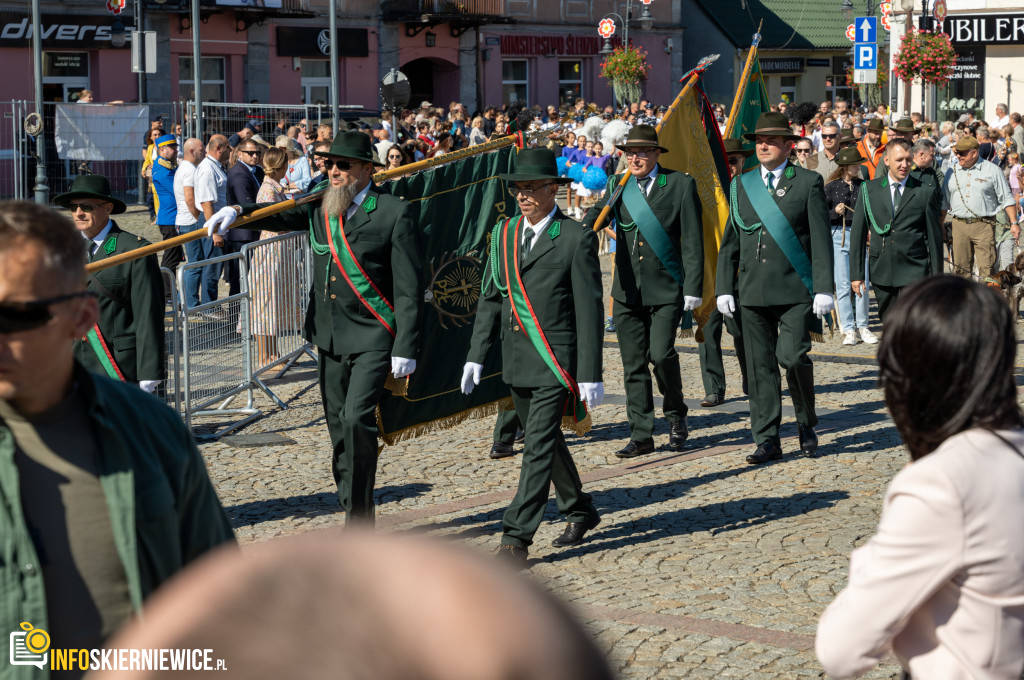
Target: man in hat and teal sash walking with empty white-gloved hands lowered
x=780 y=241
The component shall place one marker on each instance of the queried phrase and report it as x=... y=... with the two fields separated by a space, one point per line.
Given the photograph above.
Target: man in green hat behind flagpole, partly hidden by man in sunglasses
x=127 y=343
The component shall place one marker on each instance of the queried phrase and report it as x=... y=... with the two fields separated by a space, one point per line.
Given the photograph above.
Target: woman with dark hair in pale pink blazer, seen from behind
x=942 y=583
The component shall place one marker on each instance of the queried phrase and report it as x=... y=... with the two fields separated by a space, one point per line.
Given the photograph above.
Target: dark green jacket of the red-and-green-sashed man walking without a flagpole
x=563 y=279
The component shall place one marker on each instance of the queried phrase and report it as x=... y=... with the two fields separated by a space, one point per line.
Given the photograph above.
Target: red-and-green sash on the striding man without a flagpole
x=576 y=417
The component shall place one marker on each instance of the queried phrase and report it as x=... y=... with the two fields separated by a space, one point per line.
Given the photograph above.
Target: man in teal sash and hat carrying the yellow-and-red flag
x=659 y=275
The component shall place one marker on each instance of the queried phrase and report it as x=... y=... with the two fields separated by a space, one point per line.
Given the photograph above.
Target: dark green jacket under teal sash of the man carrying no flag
x=754 y=266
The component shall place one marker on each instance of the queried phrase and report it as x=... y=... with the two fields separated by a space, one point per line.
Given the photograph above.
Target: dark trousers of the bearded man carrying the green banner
x=351 y=389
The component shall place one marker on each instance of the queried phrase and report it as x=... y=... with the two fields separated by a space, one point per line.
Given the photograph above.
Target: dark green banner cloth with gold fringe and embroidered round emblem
x=458 y=205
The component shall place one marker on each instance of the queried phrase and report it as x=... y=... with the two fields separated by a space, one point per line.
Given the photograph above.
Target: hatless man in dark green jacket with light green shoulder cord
x=903 y=216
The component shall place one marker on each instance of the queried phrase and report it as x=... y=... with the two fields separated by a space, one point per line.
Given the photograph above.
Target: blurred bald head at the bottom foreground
x=355 y=606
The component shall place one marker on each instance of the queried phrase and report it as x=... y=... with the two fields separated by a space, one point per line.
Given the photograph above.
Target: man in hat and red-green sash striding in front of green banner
x=542 y=296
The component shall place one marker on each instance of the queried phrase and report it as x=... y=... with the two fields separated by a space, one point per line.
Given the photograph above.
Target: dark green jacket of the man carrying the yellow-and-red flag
x=641 y=277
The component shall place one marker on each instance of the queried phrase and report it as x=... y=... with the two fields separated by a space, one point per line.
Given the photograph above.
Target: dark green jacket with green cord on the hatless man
x=913 y=249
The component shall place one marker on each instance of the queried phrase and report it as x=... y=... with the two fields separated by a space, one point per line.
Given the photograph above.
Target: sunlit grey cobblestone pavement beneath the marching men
x=702 y=568
